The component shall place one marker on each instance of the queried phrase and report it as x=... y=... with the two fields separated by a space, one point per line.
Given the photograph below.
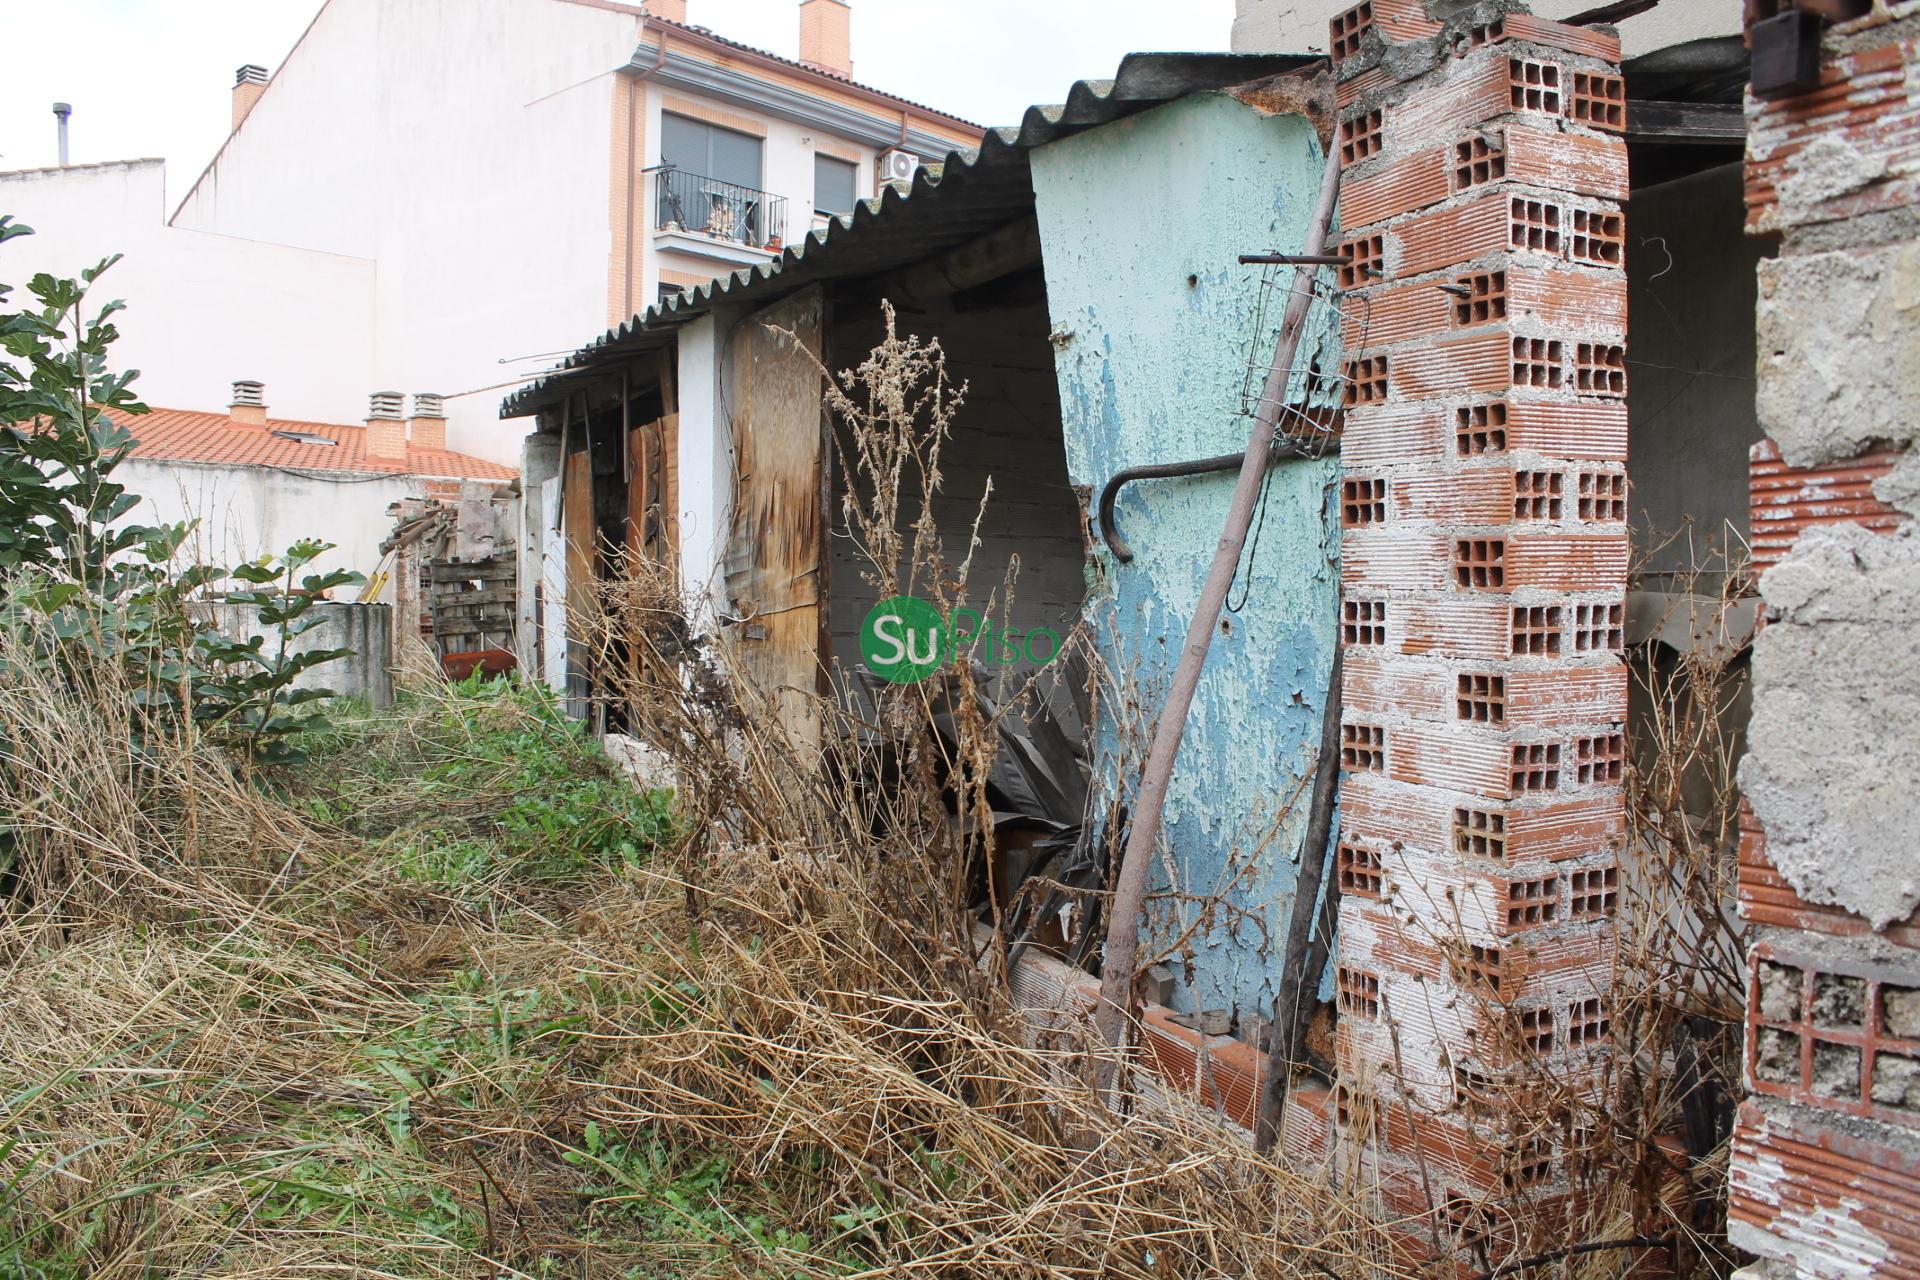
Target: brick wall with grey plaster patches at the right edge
x=1827 y=1152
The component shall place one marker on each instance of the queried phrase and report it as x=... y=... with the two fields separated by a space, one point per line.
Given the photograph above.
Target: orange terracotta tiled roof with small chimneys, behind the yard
x=212 y=439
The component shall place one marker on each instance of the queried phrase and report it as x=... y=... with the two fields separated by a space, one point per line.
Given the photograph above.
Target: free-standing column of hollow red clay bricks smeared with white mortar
x=1485 y=577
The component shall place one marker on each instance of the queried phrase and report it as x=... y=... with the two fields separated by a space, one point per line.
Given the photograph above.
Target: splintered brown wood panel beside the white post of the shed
x=775 y=550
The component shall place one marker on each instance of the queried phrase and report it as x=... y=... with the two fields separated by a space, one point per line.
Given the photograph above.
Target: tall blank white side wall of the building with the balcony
x=468 y=149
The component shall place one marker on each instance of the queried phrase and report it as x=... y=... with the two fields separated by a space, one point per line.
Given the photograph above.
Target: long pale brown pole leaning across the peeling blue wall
x=1130 y=889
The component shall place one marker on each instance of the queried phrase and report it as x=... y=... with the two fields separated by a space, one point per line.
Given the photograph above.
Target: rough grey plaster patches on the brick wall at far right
x=1838 y=665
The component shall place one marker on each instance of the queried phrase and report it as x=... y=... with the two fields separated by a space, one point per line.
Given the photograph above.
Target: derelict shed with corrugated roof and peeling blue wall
x=1082 y=277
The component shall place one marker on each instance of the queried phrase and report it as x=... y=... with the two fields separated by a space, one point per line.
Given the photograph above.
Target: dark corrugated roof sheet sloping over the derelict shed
x=974 y=195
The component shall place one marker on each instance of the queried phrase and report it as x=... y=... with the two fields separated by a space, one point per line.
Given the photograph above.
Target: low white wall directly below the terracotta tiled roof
x=252 y=511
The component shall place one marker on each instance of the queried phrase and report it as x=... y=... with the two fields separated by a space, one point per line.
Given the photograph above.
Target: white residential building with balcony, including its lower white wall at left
x=446 y=195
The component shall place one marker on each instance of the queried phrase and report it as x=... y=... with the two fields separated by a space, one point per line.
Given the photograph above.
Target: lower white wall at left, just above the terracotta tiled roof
x=204 y=310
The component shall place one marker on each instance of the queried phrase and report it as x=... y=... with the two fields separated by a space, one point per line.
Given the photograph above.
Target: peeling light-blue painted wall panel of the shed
x=1143 y=224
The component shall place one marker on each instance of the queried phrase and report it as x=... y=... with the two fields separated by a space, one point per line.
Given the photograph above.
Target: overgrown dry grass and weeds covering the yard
x=462 y=1001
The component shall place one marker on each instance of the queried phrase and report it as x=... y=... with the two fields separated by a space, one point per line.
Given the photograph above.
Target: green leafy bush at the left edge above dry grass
x=107 y=600
